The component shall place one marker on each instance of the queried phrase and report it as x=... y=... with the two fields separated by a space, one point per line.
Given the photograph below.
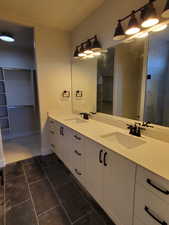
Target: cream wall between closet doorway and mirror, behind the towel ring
x=53 y=50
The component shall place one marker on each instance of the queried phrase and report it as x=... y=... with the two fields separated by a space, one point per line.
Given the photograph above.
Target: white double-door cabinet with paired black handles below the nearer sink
x=110 y=179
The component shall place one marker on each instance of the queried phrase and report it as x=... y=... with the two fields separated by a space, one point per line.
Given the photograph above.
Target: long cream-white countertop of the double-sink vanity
x=153 y=155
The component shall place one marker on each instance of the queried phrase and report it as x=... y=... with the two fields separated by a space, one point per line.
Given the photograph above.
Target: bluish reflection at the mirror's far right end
x=157 y=91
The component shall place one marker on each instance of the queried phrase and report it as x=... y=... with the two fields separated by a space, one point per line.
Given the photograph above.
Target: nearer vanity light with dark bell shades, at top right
x=149 y=19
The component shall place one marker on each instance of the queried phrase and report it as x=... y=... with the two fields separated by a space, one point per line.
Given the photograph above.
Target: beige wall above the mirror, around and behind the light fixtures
x=103 y=21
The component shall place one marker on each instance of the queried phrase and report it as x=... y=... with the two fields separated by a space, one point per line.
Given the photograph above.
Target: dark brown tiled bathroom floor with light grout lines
x=41 y=191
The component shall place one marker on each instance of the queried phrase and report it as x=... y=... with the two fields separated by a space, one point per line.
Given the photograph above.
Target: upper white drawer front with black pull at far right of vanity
x=153 y=183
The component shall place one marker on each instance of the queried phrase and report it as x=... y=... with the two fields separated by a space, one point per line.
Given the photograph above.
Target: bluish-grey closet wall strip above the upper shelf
x=16 y=57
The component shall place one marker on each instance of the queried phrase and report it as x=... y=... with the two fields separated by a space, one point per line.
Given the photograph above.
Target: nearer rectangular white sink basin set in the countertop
x=126 y=141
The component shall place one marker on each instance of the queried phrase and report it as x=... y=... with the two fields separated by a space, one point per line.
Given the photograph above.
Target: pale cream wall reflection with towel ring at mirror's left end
x=84 y=79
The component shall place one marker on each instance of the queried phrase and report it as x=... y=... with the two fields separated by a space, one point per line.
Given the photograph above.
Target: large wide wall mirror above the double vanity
x=129 y=80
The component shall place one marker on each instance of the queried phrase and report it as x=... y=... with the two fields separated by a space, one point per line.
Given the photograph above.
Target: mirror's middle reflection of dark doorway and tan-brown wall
x=119 y=80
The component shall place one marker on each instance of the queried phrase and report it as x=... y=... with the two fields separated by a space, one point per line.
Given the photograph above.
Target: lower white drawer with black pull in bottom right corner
x=149 y=208
